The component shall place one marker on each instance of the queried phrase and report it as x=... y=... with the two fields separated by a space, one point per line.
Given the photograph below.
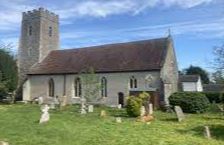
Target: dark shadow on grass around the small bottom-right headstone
x=217 y=131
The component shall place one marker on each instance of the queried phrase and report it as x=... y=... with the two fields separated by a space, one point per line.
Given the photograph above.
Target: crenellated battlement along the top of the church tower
x=41 y=12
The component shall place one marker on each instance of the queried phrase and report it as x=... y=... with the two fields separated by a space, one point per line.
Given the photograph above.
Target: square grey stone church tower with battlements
x=39 y=36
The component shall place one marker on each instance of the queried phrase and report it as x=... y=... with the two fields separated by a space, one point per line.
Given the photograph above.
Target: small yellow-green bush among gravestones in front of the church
x=133 y=106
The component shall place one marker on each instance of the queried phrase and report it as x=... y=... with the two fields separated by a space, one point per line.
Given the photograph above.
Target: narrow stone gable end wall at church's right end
x=169 y=72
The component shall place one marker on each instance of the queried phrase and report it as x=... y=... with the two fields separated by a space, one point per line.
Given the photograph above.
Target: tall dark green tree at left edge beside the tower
x=8 y=69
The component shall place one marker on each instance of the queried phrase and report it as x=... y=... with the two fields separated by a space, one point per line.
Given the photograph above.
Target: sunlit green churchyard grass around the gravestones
x=19 y=126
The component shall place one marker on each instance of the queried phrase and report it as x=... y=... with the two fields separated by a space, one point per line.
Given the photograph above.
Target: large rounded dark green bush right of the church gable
x=190 y=102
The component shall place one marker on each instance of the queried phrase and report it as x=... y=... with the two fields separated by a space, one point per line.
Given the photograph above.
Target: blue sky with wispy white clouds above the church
x=197 y=26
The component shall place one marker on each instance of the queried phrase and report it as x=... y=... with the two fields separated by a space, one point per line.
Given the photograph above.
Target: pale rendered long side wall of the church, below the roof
x=116 y=82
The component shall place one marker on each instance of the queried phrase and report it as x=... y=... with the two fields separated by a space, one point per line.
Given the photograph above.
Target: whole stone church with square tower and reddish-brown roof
x=122 y=68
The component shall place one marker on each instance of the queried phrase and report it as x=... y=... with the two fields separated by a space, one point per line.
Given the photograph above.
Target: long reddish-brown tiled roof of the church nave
x=122 y=57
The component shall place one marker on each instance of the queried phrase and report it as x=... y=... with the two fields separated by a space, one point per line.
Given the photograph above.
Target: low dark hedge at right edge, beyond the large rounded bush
x=214 y=97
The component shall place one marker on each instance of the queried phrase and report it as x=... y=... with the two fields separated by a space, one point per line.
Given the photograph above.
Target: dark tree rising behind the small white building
x=196 y=70
